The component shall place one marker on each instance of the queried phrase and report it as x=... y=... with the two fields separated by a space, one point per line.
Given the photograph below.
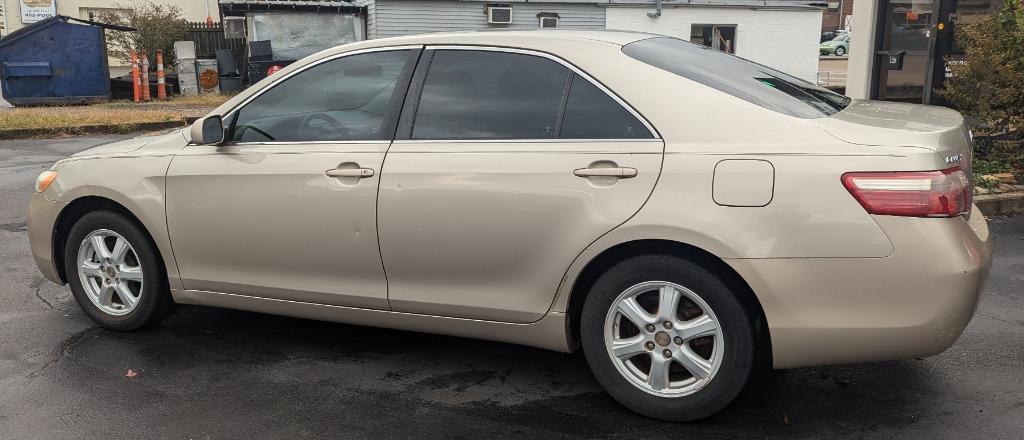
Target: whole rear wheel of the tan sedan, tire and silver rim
x=667 y=338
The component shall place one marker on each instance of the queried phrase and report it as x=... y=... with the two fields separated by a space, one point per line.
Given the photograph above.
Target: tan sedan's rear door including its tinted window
x=506 y=166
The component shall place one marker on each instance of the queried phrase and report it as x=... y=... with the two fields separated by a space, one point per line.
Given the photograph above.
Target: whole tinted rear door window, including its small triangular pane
x=478 y=95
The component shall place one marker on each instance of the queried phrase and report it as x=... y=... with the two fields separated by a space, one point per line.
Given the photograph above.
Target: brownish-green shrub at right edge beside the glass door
x=989 y=85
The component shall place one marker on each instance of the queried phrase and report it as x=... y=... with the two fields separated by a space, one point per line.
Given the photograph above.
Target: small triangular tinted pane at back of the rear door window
x=591 y=114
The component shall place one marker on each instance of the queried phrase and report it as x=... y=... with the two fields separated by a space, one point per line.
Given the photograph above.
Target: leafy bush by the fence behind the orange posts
x=159 y=27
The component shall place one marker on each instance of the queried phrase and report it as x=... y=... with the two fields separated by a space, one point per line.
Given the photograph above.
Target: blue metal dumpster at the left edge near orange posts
x=56 y=62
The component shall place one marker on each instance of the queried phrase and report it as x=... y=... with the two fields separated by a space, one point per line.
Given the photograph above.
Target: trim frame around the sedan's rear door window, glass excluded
x=415 y=93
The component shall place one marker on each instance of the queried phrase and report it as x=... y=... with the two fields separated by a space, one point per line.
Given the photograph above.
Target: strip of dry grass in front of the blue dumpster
x=66 y=119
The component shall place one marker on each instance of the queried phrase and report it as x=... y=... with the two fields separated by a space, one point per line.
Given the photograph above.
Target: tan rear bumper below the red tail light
x=914 y=303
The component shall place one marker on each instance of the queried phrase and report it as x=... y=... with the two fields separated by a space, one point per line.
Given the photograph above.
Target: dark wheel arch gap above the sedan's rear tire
x=623 y=251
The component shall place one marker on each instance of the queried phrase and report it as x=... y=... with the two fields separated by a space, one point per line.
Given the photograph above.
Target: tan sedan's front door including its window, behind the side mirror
x=287 y=208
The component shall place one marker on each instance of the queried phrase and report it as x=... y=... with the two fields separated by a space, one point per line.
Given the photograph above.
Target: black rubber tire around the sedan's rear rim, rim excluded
x=738 y=360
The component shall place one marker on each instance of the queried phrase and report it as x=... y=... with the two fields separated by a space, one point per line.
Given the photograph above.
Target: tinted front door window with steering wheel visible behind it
x=343 y=100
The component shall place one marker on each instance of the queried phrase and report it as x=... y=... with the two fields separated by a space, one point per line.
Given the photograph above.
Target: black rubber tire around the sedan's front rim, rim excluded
x=155 y=302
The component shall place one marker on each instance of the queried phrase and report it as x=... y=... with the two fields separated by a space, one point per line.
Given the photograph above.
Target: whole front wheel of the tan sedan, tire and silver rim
x=115 y=273
